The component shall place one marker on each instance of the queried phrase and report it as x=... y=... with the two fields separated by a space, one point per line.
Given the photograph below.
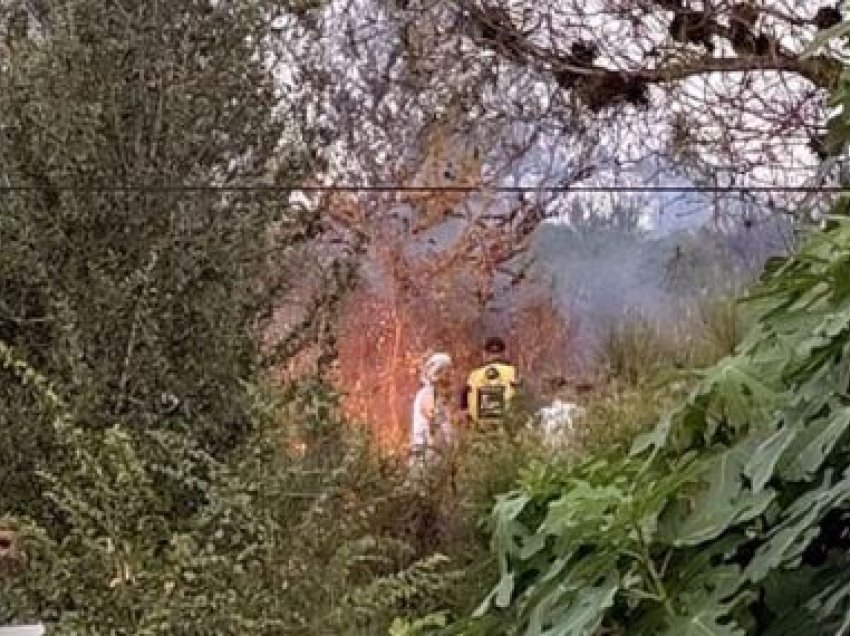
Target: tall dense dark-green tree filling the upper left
x=134 y=287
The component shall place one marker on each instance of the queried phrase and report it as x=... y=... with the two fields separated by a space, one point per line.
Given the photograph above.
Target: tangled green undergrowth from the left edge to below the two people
x=307 y=529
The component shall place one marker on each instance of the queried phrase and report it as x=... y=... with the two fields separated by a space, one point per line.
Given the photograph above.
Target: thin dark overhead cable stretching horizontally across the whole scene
x=471 y=189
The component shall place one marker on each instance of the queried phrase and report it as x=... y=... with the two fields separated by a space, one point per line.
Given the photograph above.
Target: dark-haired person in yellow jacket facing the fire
x=490 y=388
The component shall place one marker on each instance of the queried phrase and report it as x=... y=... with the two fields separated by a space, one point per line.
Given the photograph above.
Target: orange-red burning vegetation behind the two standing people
x=386 y=332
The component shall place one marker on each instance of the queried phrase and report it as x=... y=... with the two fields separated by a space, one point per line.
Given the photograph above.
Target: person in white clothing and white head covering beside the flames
x=431 y=426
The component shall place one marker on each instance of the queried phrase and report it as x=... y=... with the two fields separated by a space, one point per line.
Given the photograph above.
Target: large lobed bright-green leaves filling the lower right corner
x=730 y=517
